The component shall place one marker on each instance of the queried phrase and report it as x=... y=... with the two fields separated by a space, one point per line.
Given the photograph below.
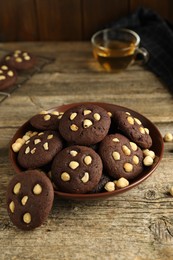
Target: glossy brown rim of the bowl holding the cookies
x=101 y=195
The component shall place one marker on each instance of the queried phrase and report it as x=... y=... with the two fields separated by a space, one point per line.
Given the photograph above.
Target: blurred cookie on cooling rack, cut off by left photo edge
x=8 y=77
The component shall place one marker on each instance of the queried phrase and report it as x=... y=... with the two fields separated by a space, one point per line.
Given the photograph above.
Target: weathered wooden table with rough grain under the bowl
x=135 y=225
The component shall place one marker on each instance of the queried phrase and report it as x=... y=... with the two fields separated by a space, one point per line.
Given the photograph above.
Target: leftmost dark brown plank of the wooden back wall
x=18 y=20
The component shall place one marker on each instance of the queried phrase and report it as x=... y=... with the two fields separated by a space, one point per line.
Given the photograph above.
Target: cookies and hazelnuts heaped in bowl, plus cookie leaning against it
x=85 y=149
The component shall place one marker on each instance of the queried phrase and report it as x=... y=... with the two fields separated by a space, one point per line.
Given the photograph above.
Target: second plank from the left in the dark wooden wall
x=59 y=20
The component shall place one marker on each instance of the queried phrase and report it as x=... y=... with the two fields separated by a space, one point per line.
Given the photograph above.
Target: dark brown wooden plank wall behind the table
x=63 y=20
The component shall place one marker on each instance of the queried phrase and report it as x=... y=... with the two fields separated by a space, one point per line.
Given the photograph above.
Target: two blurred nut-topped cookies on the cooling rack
x=11 y=64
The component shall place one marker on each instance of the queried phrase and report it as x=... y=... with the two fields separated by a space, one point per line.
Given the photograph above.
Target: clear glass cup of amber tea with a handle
x=116 y=49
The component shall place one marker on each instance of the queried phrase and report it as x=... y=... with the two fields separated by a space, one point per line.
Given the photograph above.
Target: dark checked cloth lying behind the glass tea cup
x=157 y=37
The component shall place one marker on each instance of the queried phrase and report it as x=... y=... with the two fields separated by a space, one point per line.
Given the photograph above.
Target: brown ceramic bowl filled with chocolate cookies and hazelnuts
x=157 y=147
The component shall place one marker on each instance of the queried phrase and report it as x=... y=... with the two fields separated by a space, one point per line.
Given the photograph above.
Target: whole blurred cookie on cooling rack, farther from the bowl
x=20 y=60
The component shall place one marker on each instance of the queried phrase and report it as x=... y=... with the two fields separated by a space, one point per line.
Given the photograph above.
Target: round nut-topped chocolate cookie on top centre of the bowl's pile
x=84 y=124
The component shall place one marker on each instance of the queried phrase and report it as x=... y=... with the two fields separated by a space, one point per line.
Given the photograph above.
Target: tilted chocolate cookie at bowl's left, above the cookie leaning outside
x=39 y=150
